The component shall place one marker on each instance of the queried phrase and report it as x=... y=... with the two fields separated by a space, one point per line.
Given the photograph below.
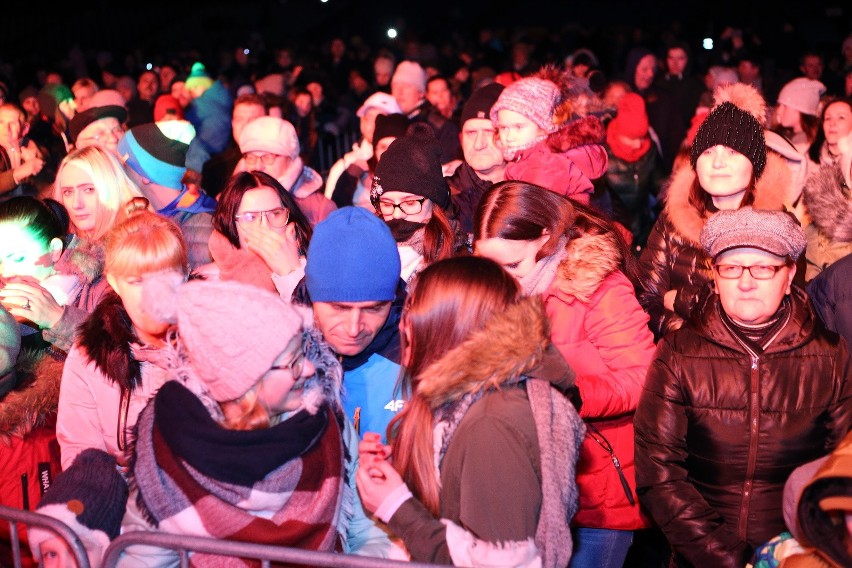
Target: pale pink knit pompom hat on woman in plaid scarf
x=232 y=331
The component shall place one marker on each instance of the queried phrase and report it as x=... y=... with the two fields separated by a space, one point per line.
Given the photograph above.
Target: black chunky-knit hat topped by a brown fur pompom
x=731 y=126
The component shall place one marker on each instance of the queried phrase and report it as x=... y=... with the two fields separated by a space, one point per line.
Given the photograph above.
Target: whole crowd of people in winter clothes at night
x=520 y=314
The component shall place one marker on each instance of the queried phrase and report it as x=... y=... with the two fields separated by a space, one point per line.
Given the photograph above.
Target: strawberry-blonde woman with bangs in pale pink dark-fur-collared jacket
x=115 y=366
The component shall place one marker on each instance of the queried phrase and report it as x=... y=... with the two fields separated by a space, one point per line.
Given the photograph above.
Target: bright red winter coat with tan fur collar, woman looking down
x=601 y=330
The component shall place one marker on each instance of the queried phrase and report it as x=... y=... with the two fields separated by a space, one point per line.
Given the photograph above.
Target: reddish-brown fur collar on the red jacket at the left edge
x=34 y=399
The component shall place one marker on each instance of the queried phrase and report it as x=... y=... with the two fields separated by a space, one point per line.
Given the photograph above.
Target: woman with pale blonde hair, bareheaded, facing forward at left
x=93 y=188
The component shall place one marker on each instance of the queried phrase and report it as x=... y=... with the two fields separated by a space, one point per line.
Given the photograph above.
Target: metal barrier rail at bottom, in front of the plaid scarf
x=265 y=553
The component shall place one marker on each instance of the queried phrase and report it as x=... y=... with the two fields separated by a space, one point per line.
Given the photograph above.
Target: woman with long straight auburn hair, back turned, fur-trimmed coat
x=482 y=420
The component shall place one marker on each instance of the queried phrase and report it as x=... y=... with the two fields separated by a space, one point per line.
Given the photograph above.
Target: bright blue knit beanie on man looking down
x=352 y=257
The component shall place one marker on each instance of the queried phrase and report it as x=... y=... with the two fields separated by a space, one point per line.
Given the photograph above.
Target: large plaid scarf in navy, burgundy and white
x=280 y=485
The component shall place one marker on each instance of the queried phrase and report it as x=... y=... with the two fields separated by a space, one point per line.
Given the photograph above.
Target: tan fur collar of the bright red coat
x=591 y=258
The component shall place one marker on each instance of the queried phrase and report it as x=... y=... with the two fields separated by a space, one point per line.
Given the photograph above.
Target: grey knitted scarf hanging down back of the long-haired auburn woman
x=560 y=432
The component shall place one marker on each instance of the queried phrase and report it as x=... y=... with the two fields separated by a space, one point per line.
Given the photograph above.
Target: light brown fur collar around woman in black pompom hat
x=770 y=191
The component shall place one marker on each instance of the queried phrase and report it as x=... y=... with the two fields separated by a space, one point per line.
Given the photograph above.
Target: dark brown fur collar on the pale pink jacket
x=106 y=336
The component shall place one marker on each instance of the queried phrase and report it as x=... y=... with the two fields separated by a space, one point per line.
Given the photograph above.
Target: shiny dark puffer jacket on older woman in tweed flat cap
x=718 y=429
